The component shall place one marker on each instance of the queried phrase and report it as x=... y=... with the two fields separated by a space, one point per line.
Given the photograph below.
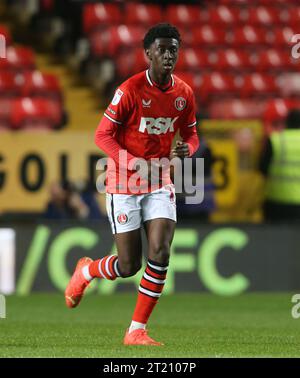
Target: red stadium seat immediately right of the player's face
x=192 y=59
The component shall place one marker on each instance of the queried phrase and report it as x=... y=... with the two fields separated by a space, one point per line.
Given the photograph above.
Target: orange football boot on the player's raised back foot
x=77 y=284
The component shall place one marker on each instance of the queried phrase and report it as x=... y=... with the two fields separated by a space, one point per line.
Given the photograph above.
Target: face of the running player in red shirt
x=163 y=54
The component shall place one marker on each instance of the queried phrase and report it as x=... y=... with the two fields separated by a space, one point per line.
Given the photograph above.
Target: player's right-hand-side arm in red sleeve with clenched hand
x=188 y=132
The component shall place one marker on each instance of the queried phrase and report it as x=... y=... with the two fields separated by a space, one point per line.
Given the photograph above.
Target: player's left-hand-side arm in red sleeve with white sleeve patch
x=113 y=118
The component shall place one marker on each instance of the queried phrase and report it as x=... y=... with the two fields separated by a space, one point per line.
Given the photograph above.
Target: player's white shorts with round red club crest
x=127 y=212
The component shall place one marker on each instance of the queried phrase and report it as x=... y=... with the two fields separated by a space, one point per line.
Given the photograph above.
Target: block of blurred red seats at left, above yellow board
x=29 y=98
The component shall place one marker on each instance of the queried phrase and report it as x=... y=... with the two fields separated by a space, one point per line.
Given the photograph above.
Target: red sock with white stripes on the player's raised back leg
x=107 y=267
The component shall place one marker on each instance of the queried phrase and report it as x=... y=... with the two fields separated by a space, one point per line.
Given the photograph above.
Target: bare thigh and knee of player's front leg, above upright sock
x=160 y=233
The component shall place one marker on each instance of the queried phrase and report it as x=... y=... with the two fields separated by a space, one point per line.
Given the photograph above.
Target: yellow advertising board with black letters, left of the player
x=30 y=162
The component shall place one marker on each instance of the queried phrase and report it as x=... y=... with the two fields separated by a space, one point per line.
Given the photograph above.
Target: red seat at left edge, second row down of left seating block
x=18 y=59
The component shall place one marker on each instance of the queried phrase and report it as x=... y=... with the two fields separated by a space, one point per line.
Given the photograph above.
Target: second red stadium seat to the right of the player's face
x=230 y=60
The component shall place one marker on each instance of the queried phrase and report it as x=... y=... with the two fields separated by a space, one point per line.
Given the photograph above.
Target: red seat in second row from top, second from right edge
x=249 y=36
